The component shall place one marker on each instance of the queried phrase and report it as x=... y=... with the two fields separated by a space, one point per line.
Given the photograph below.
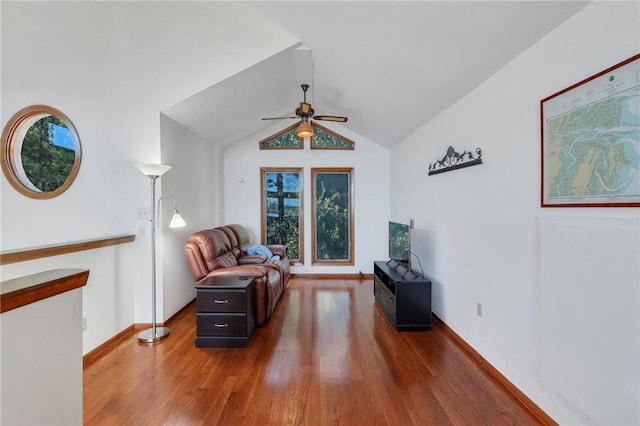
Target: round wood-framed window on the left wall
x=40 y=152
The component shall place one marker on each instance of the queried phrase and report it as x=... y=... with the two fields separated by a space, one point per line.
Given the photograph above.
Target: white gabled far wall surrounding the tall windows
x=370 y=163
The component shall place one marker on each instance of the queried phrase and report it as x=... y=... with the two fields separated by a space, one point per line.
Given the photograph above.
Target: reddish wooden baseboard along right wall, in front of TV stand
x=509 y=387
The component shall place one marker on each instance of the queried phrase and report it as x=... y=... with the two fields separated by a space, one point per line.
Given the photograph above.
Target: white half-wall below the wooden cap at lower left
x=41 y=366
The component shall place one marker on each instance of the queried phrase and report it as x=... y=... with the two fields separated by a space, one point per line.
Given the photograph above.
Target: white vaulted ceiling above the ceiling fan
x=389 y=66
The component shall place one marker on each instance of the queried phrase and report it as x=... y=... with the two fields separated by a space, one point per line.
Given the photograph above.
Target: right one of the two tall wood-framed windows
x=332 y=237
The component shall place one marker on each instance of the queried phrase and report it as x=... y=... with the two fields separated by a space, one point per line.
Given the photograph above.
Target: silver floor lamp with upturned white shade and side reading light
x=154 y=171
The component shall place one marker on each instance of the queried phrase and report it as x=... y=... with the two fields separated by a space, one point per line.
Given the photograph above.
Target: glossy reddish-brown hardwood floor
x=328 y=356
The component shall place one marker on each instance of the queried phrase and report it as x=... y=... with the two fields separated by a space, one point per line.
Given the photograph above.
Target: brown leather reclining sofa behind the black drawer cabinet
x=223 y=250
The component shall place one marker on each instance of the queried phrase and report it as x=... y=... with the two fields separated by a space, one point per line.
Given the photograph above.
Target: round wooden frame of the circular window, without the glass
x=12 y=138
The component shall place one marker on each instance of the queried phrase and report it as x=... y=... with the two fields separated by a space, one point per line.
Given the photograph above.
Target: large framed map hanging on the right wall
x=591 y=141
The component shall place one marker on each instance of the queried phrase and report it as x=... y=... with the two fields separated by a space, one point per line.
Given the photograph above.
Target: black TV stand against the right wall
x=404 y=296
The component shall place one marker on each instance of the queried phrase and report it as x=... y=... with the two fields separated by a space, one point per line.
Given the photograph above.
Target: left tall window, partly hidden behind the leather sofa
x=282 y=211
